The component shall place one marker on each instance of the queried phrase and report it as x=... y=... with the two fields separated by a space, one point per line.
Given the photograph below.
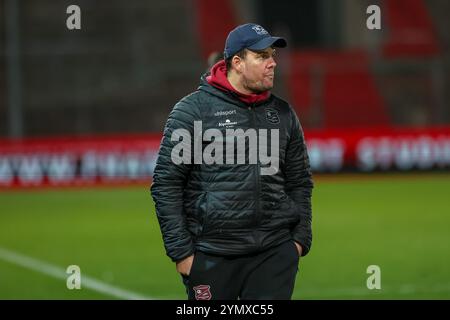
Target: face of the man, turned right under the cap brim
x=258 y=70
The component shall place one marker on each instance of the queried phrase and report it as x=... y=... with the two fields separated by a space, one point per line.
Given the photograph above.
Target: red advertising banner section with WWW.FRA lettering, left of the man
x=77 y=161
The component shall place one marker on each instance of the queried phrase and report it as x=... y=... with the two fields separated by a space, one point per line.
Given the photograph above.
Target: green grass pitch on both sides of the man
x=400 y=223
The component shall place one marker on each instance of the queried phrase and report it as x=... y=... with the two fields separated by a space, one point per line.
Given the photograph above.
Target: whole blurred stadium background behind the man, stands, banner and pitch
x=82 y=112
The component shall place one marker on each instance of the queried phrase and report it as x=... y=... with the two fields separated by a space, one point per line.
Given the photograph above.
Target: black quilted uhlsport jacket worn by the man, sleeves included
x=232 y=209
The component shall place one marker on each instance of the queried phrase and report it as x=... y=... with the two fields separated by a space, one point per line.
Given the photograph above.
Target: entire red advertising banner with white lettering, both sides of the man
x=130 y=159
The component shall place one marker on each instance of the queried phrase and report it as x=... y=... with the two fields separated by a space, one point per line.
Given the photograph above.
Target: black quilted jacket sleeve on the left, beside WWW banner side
x=169 y=180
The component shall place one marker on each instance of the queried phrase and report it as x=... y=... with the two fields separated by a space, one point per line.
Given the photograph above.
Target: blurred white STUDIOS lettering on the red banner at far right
x=405 y=153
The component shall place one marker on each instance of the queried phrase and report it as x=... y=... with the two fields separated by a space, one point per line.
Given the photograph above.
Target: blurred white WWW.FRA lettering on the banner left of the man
x=64 y=168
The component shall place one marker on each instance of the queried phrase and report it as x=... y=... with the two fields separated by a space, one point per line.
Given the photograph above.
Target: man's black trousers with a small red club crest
x=269 y=275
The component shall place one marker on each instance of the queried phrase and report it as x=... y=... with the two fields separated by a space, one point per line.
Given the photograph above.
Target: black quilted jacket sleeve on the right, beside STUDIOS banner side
x=299 y=183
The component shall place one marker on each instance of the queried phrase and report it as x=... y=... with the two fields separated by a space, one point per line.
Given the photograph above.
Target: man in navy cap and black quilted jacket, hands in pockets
x=235 y=218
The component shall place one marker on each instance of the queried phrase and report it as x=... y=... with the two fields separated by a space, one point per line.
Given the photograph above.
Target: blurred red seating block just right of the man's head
x=339 y=85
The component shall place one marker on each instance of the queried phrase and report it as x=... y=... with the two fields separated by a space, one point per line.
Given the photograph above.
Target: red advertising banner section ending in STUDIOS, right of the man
x=379 y=149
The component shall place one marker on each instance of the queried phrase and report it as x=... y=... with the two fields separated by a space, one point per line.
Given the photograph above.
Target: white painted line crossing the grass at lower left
x=60 y=273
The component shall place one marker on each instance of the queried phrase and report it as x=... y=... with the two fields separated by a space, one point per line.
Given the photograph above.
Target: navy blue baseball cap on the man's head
x=250 y=36
